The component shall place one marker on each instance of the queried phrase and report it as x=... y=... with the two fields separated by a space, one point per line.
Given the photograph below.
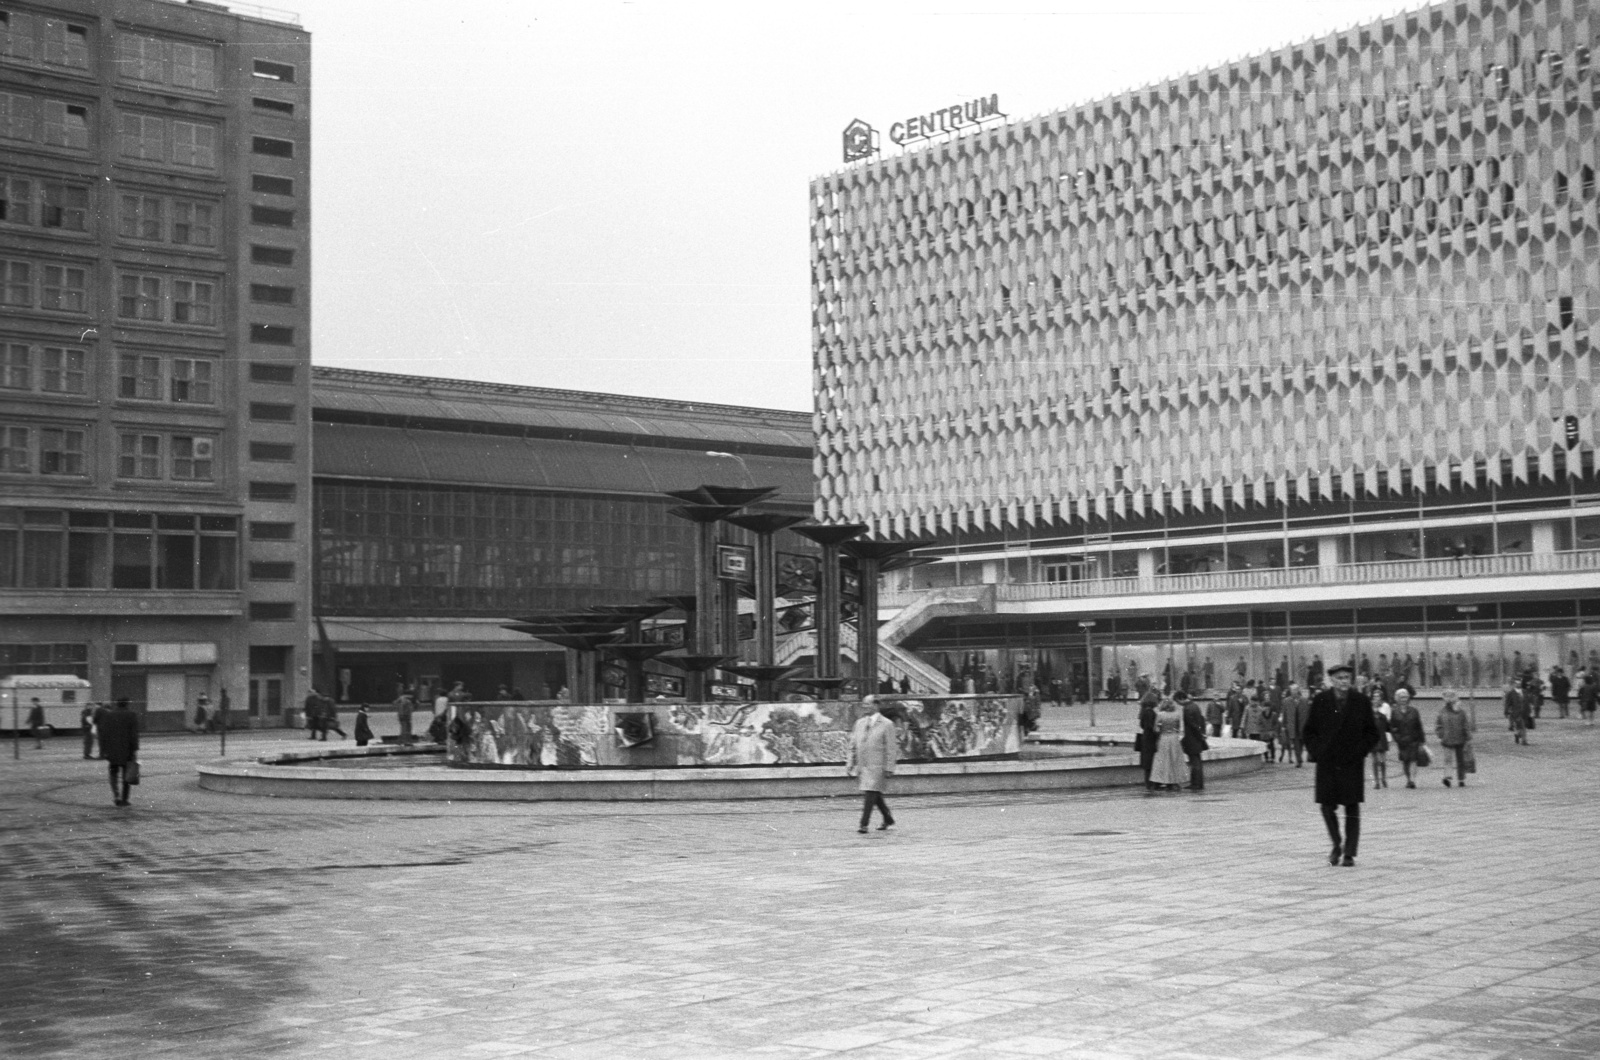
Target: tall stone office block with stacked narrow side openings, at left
x=154 y=351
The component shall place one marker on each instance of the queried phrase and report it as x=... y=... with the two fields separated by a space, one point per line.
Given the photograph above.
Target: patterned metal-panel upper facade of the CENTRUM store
x=1356 y=267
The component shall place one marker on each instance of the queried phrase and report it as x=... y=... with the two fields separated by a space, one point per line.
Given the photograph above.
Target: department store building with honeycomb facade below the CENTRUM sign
x=1242 y=374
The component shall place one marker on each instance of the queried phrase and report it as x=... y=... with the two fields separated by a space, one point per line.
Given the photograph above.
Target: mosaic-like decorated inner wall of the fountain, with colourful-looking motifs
x=689 y=736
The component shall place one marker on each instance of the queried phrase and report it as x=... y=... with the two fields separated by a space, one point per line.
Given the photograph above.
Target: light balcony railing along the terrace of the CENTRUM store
x=1289 y=577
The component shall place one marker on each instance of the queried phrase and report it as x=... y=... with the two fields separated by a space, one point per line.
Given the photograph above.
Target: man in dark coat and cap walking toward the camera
x=1340 y=733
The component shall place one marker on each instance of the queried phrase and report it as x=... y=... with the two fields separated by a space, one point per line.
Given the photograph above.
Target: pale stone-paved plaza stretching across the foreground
x=1084 y=925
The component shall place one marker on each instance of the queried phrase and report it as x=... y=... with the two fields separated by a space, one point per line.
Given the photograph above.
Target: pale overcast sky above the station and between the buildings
x=614 y=196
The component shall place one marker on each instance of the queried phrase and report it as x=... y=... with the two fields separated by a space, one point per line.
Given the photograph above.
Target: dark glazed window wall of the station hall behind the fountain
x=436 y=552
